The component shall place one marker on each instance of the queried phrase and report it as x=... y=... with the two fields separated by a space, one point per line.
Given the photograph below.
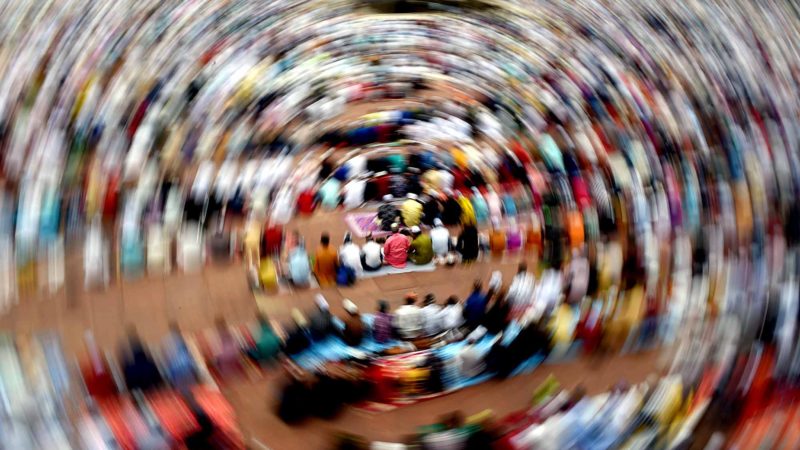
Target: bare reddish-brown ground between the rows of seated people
x=194 y=301
